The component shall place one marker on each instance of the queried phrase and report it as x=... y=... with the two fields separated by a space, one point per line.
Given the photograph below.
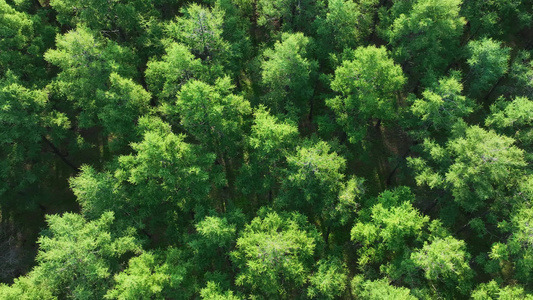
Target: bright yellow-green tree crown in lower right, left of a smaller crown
x=389 y=229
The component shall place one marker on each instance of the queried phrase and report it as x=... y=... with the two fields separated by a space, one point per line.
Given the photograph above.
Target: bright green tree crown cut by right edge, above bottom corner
x=518 y=251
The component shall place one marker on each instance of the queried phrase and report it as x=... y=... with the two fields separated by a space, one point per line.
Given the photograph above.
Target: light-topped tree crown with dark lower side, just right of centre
x=313 y=180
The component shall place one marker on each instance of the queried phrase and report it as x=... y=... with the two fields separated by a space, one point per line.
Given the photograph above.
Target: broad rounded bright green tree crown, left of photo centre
x=166 y=168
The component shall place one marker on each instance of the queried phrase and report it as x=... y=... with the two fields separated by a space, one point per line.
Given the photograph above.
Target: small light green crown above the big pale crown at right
x=443 y=105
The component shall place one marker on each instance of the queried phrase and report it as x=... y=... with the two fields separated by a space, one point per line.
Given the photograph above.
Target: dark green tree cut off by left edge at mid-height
x=27 y=124
